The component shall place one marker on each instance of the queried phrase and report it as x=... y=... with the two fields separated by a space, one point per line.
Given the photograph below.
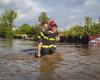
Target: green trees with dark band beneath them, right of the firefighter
x=80 y=34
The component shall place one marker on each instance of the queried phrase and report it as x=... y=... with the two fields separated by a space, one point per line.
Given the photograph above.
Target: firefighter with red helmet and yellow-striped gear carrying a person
x=47 y=39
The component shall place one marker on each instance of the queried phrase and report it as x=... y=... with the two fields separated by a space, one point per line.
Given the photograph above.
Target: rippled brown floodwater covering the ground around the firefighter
x=70 y=62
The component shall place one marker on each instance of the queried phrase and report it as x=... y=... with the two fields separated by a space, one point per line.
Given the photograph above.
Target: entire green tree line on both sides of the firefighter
x=7 y=18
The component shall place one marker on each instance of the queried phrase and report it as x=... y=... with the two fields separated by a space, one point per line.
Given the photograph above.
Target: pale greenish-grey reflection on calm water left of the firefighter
x=14 y=46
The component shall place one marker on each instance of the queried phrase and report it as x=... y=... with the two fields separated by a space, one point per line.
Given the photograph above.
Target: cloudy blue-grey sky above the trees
x=65 y=12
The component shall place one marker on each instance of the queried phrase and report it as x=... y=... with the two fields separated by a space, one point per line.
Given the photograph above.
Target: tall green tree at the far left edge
x=6 y=23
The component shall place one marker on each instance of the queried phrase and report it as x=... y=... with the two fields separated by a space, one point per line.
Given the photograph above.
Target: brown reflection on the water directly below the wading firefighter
x=48 y=66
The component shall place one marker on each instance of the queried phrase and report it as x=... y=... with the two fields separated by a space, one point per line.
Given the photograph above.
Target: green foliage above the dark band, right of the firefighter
x=89 y=28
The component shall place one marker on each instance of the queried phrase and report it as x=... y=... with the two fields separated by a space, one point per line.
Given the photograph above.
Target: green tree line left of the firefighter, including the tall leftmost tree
x=9 y=30
